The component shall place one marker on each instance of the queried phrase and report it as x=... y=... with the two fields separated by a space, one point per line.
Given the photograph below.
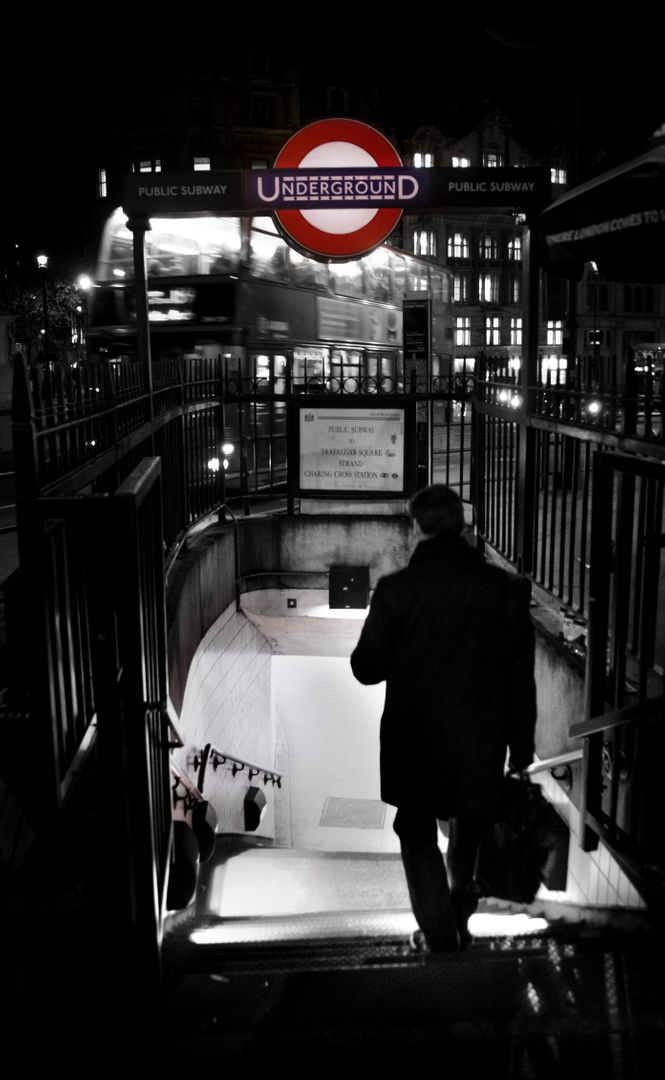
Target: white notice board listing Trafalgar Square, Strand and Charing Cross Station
x=358 y=451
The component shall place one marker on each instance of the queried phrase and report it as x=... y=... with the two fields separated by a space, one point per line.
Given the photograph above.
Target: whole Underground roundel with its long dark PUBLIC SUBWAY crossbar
x=337 y=190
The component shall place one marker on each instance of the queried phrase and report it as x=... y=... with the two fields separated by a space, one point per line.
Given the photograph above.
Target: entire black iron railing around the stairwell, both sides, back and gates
x=90 y=431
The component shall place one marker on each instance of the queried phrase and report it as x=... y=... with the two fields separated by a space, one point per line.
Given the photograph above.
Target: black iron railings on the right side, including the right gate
x=573 y=493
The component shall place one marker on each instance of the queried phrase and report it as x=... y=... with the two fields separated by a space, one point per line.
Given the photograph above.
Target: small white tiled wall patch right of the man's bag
x=594 y=879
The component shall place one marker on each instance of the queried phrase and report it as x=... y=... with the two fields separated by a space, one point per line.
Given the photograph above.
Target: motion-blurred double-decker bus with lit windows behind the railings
x=230 y=292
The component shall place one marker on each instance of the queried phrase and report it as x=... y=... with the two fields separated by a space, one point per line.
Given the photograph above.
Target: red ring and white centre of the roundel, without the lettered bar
x=344 y=234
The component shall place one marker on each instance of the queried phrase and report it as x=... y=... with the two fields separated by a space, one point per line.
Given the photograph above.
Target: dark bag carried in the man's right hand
x=523 y=849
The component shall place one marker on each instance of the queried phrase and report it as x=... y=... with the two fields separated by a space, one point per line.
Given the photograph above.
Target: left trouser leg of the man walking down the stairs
x=427 y=879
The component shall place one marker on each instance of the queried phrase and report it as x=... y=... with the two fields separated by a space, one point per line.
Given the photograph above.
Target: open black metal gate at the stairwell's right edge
x=625 y=726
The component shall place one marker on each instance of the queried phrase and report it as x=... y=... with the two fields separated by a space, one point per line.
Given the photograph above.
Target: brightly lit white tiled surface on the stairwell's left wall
x=228 y=704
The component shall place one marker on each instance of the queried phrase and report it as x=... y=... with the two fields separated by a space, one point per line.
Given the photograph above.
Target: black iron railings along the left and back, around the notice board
x=86 y=427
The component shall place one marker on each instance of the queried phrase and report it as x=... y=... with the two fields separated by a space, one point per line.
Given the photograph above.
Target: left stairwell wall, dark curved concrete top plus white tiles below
x=220 y=679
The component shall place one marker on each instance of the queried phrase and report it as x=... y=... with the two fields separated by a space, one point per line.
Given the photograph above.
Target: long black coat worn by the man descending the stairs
x=453 y=638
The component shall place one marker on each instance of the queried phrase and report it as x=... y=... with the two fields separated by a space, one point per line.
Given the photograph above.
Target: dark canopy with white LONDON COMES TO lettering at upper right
x=616 y=221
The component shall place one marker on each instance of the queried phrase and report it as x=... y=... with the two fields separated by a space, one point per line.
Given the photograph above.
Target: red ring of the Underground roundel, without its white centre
x=348 y=245
